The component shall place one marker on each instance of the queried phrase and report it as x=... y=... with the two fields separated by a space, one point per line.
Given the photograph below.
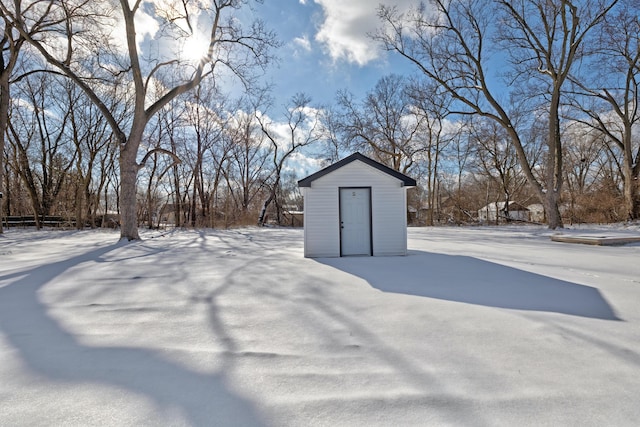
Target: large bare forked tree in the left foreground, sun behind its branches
x=80 y=23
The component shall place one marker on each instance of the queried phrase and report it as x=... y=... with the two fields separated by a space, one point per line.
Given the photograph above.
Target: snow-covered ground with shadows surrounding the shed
x=476 y=327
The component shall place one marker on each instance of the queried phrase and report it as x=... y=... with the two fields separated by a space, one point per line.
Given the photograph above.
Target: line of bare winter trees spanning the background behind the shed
x=531 y=101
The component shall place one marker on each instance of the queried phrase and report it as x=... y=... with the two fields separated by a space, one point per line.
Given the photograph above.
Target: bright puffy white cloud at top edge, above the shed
x=346 y=27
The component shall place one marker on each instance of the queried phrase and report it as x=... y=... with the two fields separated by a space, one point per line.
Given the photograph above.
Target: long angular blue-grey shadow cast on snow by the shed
x=474 y=281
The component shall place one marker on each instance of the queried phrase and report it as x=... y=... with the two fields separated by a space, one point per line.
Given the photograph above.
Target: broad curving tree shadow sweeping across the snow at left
x=46 y=348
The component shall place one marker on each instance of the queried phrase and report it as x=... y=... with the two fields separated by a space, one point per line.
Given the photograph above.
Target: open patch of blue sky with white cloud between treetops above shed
x=326 y=48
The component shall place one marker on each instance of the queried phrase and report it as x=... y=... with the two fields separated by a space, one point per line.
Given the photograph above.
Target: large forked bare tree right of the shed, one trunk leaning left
x=450 y=42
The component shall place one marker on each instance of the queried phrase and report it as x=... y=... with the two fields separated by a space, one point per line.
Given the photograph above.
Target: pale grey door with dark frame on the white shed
x=355 y=221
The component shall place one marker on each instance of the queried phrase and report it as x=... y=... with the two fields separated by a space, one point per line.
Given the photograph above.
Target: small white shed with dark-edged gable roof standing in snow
x=356 y=206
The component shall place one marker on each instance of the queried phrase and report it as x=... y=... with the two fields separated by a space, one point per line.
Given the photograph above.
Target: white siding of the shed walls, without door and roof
x=388 y=206
